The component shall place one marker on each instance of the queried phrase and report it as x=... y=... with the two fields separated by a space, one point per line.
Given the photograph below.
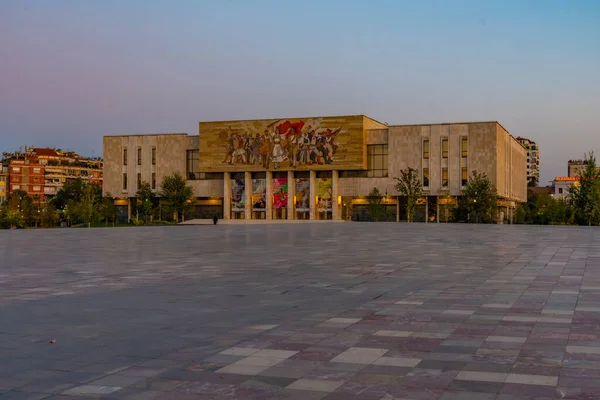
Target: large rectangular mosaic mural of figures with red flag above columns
x=303 y=144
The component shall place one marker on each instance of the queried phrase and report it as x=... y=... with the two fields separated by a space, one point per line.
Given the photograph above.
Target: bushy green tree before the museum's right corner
x=478 y=200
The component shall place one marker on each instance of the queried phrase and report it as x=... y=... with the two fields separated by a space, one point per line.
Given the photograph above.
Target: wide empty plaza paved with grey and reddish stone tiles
x=301 y=311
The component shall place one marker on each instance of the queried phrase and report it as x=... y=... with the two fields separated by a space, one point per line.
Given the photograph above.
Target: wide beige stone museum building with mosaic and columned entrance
x=317 y=168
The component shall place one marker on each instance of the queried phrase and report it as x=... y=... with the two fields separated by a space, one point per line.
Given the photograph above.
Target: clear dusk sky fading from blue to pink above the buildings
x=72 y=71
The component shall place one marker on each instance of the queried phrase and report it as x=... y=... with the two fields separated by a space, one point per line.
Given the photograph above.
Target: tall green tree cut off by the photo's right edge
x=584 y=195
